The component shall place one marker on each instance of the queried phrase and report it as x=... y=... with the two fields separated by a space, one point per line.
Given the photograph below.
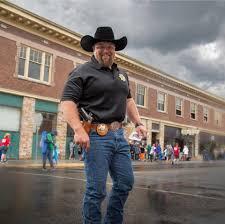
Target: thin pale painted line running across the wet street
x=135 y=187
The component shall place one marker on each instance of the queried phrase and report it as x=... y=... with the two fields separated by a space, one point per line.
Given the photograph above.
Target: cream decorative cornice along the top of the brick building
x=32 y=23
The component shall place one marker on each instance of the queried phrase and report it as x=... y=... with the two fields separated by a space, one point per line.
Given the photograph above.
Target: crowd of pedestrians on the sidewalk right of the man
x=146 y=152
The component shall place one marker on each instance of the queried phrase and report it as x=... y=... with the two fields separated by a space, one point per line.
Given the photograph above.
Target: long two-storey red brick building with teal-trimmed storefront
x=36 y=57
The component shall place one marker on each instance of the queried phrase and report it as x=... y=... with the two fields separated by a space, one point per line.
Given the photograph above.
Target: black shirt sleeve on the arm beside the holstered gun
x=73 y=88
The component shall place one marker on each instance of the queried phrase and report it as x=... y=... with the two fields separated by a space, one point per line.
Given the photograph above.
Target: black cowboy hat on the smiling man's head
x=102 y=34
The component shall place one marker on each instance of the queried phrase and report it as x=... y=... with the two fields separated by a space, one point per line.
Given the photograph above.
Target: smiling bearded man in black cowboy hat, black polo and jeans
x=102 y=89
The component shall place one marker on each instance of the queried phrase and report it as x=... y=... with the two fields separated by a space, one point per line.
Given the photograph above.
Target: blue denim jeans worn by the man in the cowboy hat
x=110 y=153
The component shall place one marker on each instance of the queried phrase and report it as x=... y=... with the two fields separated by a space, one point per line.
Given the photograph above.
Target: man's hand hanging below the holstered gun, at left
x=81 y=138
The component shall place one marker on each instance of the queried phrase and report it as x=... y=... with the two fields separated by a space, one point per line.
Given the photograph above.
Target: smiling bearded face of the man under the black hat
x=104 y=53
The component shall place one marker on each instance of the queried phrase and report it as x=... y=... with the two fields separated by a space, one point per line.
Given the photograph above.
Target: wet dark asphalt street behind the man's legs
x=191 y=194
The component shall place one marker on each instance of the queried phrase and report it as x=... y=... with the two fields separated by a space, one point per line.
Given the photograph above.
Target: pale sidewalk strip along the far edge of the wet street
x=80 y=164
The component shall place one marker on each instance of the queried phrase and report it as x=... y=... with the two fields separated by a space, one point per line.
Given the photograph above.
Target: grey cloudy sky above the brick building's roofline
x=185 y=39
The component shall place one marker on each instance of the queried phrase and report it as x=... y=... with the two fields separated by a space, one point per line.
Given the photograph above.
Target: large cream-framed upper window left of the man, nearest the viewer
x=34 y=64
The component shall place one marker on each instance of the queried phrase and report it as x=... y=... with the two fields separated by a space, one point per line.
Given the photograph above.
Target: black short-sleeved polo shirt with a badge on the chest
x=99 y=90
